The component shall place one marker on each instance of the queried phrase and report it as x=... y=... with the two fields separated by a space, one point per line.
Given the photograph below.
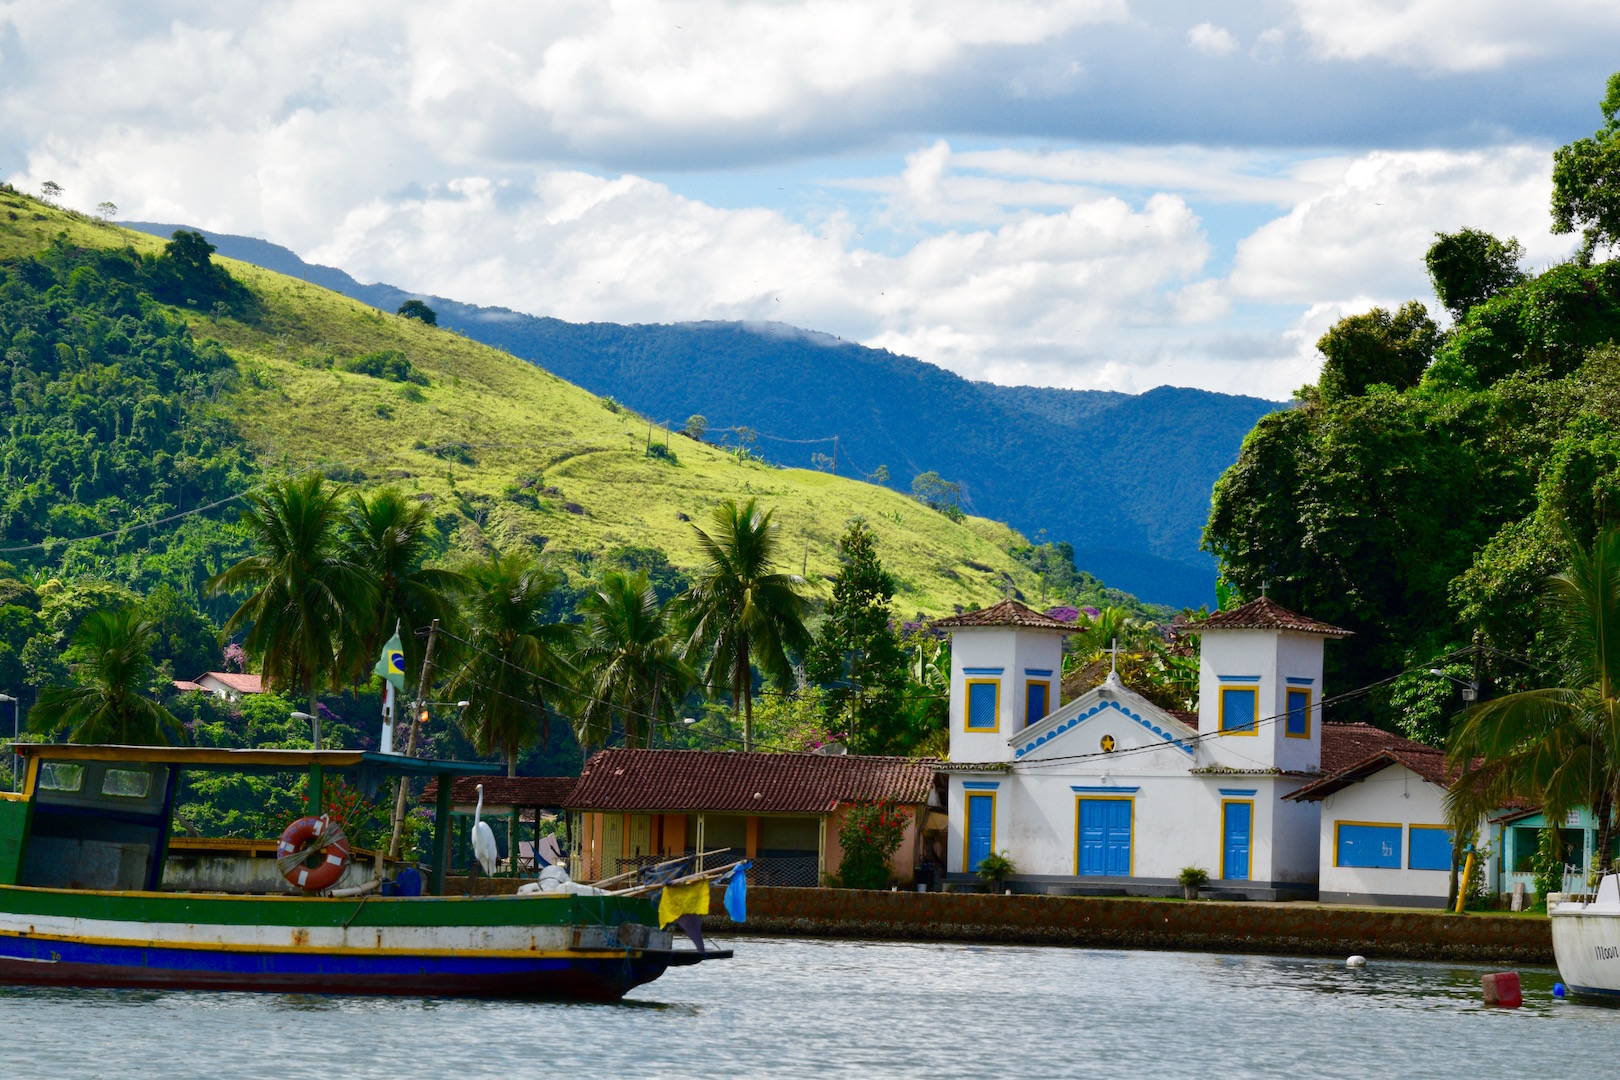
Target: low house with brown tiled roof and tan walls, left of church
x=782 y=810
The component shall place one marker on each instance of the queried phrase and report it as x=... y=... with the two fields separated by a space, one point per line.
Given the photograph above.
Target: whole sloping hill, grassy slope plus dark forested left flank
x=150 y=386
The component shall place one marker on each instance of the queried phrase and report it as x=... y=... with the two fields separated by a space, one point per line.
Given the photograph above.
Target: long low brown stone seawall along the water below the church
x=1135 y=924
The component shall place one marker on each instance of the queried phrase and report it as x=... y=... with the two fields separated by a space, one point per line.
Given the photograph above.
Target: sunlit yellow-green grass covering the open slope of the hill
x=490 y=423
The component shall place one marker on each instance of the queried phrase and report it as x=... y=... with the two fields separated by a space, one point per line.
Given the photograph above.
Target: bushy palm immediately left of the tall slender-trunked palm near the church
x=629 y=661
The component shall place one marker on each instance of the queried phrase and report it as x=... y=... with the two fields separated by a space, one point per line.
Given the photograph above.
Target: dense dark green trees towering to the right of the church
x=1433 y=482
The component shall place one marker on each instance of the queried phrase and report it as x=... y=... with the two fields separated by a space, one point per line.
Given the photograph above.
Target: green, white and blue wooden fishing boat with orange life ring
x=85 y=899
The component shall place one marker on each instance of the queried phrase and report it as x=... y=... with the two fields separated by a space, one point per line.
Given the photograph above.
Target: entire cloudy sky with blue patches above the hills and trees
x=1081 y=193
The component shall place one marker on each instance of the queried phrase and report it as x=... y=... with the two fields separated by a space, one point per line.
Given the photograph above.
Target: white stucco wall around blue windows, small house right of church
x=1392 y=796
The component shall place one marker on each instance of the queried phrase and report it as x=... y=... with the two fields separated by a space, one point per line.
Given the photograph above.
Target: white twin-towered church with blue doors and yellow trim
x=1111 y=791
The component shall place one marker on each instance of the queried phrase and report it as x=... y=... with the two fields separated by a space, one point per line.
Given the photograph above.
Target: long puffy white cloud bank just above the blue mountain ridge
x=981 y=302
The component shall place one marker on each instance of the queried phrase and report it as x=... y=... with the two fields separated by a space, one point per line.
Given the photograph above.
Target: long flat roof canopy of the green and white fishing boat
x=257 y=760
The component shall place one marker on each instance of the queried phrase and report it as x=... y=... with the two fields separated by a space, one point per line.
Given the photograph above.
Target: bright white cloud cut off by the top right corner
x=1449 y=36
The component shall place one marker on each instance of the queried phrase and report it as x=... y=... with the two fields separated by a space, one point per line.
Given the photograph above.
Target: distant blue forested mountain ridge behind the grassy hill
x=1123 y=478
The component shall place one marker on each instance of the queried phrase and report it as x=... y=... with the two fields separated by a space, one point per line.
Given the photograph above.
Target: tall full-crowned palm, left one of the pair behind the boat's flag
x=309 y=597
